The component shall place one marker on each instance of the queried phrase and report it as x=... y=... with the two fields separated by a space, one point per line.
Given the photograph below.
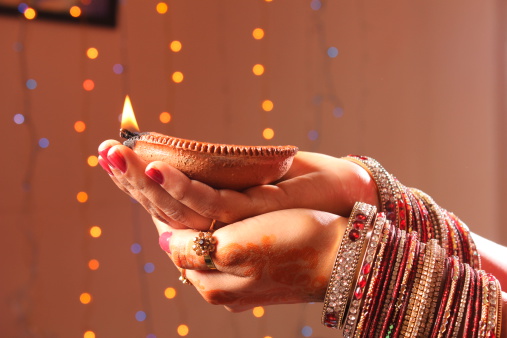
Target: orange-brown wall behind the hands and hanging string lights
x=420 y=87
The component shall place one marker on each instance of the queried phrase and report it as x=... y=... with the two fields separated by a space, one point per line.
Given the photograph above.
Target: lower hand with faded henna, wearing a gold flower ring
x=282 y=257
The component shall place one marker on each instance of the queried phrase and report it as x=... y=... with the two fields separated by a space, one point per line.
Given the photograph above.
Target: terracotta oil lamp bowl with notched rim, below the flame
x=221 y=166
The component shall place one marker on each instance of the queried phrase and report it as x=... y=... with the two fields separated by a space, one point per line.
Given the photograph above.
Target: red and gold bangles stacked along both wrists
x=410 y=270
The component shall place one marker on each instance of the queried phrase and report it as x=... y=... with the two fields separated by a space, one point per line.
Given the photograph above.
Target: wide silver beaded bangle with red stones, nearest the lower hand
x=345 y=265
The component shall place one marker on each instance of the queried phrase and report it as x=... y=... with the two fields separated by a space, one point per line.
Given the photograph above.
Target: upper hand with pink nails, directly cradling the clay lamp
x=314 y=181
